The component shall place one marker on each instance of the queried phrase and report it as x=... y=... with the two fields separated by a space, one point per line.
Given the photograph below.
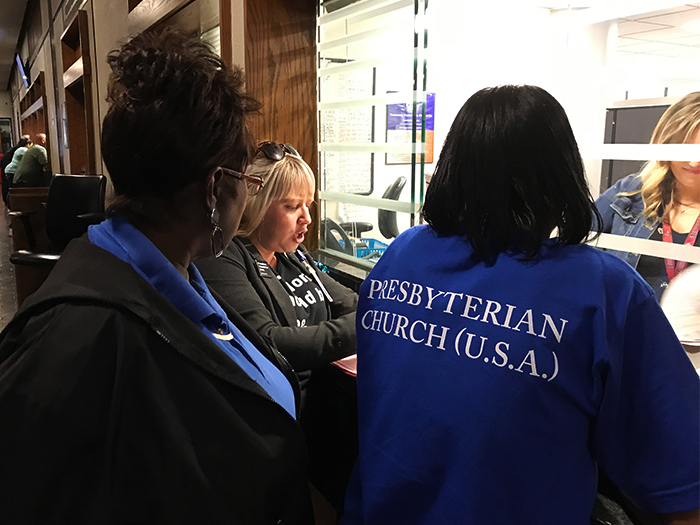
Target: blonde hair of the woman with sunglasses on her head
x=290 y=176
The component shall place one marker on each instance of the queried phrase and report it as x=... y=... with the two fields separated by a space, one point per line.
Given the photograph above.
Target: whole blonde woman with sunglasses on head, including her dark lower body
x=268 y=276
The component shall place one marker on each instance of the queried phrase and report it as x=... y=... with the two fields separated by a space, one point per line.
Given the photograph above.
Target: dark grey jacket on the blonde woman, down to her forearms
x=264 y=303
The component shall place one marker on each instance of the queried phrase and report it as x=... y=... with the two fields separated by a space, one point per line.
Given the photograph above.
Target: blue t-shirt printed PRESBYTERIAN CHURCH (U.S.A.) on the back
x=489 y=394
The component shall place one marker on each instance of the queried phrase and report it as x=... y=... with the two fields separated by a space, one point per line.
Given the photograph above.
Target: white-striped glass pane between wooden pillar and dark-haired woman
x=375 y=124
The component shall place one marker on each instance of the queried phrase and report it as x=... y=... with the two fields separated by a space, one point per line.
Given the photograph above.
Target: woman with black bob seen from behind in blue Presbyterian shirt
x=499 y=367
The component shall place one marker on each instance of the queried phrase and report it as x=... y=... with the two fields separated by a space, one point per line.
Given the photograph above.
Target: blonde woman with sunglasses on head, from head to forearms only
x=259 y=271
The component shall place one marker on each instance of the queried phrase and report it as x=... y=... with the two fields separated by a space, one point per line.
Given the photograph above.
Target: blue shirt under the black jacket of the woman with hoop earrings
x=194 y=300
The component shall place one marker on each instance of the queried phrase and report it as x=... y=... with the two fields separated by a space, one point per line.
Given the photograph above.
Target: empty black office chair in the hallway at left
x=74 y=202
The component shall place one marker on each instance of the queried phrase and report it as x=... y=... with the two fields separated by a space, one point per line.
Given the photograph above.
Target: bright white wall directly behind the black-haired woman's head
x=476 y=46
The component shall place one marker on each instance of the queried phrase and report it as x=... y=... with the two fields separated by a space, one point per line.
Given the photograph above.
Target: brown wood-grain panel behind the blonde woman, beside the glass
x=280 y=66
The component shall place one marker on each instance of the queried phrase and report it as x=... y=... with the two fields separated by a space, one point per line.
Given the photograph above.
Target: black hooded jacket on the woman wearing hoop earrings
x=115 y=408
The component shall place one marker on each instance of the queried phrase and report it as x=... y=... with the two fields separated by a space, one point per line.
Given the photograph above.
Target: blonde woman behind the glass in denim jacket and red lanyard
x=662 y=202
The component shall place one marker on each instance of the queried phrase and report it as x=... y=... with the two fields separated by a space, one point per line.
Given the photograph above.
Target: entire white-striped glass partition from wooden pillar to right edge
x=615 y=66
